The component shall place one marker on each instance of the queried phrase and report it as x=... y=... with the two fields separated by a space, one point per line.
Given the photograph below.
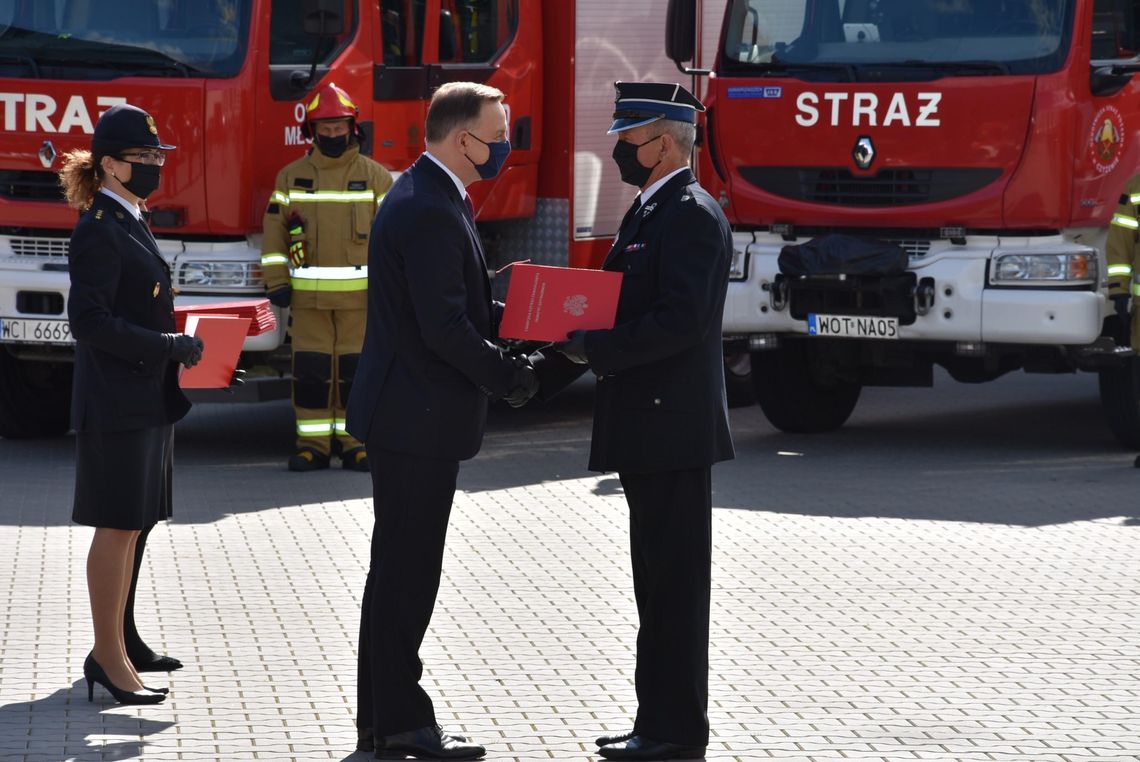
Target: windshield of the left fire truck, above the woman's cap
x=104 y=39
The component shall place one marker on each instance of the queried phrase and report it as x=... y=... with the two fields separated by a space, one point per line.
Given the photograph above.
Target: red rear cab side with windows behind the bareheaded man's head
x=430 y=43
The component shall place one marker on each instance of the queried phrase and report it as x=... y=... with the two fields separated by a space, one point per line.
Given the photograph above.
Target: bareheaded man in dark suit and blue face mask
x=420 y=404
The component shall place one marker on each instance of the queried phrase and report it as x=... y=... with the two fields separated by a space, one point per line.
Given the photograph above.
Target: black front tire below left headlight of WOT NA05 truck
x=794 y=396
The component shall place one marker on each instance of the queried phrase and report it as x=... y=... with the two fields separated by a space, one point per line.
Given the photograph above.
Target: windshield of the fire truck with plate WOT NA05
x=876 y=40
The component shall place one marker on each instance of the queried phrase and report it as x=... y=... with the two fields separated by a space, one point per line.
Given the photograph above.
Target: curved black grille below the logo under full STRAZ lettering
x=887 y=188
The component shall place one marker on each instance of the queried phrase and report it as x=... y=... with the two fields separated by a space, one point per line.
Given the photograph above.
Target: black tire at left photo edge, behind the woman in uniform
x=35 y=398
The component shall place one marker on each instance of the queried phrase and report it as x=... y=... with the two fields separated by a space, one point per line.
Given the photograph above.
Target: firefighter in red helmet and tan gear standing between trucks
x=315 y=256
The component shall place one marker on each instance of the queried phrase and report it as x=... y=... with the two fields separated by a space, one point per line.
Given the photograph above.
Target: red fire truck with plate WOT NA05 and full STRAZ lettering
x=990 y=140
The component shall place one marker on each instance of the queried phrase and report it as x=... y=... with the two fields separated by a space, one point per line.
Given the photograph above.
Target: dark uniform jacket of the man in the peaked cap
x=661 y=401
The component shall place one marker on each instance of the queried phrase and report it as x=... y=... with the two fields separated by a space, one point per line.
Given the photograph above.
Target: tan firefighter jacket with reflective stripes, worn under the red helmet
x=316 y=229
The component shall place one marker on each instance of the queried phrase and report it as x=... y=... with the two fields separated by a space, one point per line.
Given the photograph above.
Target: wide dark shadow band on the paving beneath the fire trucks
x=1022 y=451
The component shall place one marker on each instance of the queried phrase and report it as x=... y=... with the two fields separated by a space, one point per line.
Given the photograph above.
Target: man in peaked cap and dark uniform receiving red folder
x=661 y=418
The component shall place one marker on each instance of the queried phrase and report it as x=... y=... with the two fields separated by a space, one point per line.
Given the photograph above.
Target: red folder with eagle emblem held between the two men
x=545 y=304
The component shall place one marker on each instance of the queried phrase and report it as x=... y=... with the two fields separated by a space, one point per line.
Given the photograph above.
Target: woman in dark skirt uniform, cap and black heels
x=126 y=396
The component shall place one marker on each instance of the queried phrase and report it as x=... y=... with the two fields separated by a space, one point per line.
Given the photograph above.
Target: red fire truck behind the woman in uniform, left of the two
x=225 y=79
